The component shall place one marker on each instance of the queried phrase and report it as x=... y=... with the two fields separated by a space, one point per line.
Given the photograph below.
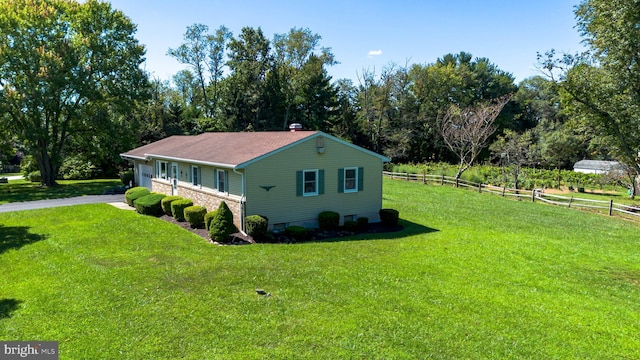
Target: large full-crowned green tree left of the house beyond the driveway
x=67 y=70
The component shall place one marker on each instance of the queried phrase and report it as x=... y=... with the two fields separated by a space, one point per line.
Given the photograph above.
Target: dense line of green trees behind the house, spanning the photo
x=63 y=101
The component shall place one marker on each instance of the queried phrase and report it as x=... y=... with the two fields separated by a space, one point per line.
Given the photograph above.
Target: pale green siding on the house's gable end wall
x=281 y=173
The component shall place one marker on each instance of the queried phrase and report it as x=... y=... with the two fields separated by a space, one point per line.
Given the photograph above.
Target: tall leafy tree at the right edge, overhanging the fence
x=602 y=87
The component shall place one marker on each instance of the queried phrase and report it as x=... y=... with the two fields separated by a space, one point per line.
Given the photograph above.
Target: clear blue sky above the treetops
x=372 y=34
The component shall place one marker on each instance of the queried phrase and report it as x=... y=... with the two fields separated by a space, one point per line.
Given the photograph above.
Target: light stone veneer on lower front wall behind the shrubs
x=203 y=198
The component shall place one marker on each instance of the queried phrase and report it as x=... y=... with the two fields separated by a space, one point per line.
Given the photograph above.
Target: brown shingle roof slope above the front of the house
x=220 y=148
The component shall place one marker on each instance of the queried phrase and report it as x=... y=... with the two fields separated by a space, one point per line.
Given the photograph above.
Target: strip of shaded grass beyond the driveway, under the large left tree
x=22 y=190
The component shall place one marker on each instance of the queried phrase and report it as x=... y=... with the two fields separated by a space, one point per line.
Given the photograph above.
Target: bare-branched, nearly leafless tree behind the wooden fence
x=466 y=131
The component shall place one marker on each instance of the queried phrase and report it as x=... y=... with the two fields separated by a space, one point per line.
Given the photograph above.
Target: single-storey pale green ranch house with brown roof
x=289 y=177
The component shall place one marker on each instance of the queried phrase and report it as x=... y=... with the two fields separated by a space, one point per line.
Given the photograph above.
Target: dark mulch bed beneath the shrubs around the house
x=312 y=235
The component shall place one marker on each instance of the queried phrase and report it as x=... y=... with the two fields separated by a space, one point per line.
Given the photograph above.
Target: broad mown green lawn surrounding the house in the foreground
x=471 y=276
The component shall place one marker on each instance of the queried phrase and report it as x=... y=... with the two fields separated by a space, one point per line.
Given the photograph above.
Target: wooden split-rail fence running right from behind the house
x=609 y=207
